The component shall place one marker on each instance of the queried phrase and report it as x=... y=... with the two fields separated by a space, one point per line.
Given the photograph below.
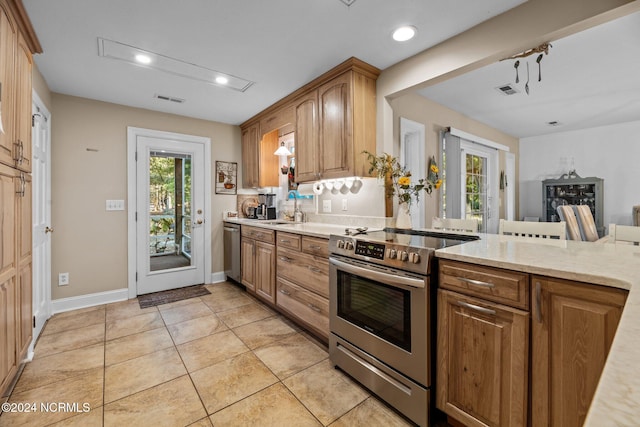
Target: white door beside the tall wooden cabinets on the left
x=41 y=143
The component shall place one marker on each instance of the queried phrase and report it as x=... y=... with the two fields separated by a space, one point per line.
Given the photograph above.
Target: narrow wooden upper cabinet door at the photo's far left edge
x=7 y=54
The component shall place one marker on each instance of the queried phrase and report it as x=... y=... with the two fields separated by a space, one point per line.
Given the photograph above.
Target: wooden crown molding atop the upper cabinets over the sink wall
x=352 y=63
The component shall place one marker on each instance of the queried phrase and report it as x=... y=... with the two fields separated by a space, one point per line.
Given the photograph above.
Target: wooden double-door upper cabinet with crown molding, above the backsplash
x=335 y=121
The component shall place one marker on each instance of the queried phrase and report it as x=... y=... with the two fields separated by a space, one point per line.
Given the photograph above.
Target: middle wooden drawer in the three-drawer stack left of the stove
x=305 y=270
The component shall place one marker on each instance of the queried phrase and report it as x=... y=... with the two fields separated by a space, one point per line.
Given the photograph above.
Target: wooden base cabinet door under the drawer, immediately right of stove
x=482 y=361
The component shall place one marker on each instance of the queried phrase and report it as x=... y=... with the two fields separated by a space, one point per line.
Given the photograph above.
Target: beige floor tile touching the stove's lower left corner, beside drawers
x=290 y=355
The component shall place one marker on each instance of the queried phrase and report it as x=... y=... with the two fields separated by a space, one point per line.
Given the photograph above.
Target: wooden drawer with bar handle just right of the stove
x=493 y=284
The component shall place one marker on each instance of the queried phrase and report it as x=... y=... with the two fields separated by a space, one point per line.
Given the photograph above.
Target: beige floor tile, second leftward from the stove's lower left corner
x=211 y=349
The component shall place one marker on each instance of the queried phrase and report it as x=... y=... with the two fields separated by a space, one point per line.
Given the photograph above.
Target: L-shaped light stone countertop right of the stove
x=617 y=398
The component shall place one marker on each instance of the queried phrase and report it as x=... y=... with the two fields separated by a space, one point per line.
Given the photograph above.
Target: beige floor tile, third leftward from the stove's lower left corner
x=136 y=345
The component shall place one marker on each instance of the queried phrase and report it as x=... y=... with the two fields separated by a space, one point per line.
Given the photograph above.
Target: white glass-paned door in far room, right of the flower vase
x=479 y=185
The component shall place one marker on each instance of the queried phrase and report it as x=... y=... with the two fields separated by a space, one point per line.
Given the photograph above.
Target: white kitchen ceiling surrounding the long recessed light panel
x=278 y=44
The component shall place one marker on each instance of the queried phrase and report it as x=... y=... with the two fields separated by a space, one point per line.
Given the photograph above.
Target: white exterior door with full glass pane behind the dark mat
x=171 y=212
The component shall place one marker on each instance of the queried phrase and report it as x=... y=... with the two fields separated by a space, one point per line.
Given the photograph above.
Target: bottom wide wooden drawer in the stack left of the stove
x=305 y=306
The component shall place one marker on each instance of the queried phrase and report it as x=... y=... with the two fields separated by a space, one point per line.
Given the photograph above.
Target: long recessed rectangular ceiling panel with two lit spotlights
x=143 y=58
